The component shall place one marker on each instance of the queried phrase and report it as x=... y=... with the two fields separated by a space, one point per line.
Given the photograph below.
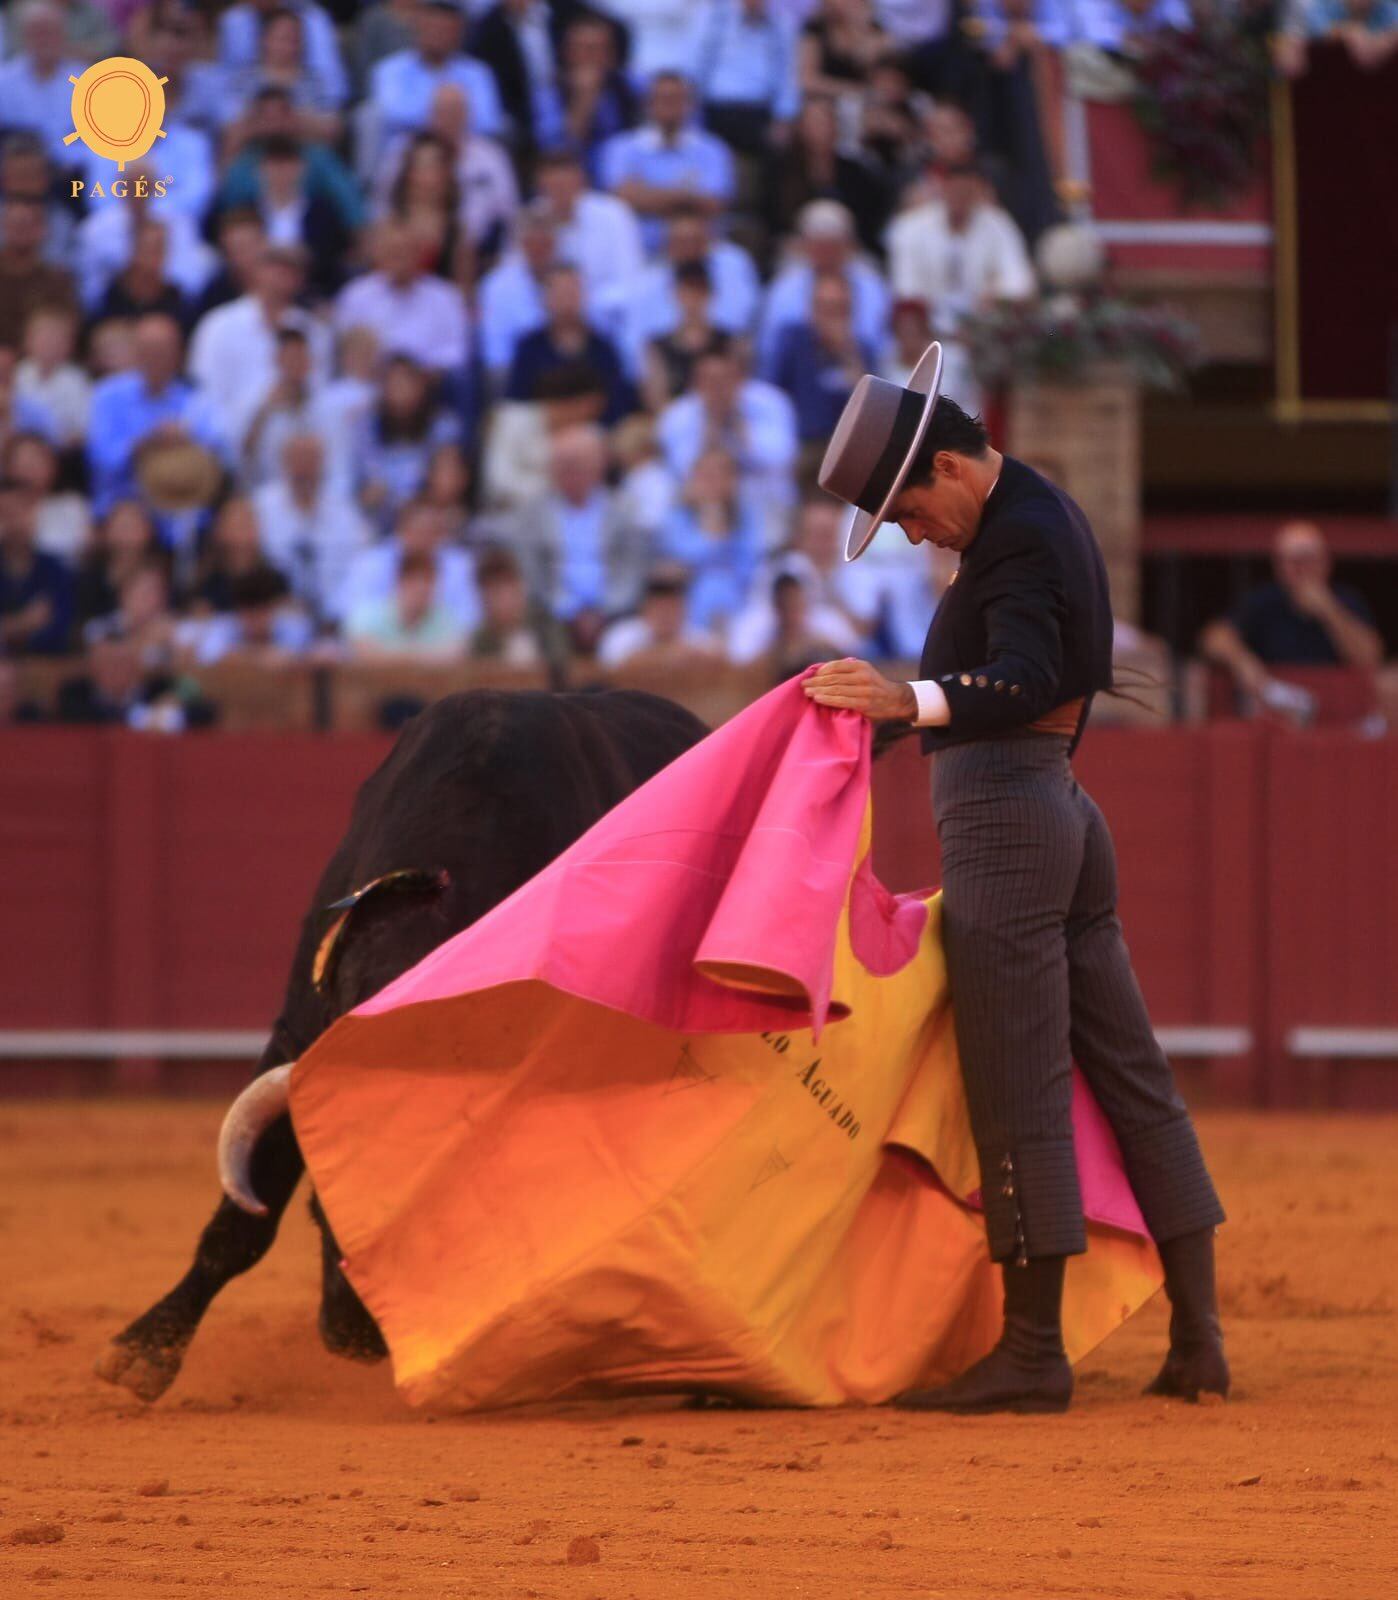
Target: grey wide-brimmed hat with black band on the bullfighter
x=874 y=446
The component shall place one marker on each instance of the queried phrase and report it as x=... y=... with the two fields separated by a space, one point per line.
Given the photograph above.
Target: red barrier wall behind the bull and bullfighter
x=159 y=884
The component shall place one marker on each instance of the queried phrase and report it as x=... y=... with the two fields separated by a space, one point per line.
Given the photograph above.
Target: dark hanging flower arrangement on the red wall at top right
x=1202 y=102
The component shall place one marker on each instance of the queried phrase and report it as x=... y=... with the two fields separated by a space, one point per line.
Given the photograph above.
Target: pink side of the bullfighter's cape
x=709 y=903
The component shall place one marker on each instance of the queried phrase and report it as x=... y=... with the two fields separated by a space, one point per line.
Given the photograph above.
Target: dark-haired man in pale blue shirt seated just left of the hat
x=749 y=420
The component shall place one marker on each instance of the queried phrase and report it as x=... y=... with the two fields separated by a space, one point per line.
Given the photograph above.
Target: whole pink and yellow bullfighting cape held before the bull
x=685 y=1113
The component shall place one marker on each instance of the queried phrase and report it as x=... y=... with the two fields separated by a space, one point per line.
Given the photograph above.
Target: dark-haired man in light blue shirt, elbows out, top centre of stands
x=668 y=162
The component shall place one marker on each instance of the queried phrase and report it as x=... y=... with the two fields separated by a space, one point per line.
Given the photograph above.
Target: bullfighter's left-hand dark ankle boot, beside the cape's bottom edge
x=1028 y=1370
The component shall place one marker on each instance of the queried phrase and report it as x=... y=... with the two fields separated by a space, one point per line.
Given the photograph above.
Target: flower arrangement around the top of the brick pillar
x=1063 y=338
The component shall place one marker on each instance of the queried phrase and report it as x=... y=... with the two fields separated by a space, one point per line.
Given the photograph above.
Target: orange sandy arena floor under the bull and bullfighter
x=273 y=1470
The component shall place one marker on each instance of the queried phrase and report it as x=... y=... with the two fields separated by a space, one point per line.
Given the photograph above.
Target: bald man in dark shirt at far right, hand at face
x=1300 y=620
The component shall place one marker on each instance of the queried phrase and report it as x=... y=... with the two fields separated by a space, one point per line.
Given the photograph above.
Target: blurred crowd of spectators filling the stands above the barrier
x=436 y=329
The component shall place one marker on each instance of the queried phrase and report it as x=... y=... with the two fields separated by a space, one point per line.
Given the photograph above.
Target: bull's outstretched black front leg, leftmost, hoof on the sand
x=148 y=1356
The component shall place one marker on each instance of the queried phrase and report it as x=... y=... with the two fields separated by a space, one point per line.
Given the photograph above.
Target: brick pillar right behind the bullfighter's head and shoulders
x=1087 y=438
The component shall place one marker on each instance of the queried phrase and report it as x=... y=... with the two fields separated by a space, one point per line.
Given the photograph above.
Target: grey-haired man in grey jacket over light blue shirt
x=580 y=558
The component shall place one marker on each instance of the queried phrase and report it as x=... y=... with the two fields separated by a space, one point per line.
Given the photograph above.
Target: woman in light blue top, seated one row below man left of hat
x=717 y=537
